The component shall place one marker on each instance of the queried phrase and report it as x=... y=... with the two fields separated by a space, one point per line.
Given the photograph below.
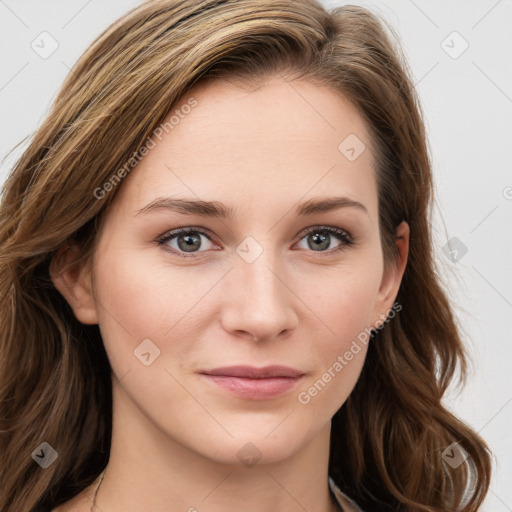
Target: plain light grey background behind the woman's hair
x=468 y=105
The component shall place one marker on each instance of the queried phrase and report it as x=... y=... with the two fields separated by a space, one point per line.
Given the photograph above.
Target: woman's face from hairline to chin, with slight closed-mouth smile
x=262 y=278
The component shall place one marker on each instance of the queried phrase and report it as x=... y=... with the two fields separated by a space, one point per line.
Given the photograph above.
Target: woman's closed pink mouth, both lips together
x=253 y=383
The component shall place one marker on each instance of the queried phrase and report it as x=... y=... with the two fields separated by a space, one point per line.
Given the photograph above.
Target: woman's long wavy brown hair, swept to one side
x=388 y=438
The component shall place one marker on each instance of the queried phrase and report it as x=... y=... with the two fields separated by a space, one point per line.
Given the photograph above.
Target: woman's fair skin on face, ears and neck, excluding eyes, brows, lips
x=176 y=437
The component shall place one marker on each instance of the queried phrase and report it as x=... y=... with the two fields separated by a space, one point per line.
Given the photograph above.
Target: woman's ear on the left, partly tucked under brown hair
x=73 y=279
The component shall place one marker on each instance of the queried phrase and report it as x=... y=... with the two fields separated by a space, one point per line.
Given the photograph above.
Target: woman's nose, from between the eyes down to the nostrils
x=258 y=303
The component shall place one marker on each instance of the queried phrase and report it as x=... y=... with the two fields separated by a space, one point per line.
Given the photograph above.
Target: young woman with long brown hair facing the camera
x=217 y=277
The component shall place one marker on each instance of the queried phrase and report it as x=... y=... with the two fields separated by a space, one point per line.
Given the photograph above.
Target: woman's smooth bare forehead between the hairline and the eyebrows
x=281 y=141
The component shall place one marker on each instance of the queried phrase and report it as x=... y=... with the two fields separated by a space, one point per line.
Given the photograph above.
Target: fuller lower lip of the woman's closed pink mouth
x=254 y=389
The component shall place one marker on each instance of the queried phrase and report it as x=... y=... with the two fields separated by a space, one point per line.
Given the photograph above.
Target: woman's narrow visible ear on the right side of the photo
x=392 y=276
